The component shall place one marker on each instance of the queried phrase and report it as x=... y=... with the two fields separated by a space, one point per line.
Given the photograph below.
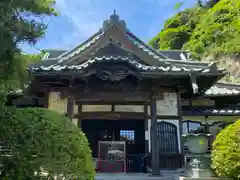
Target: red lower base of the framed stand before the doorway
x=105 y=166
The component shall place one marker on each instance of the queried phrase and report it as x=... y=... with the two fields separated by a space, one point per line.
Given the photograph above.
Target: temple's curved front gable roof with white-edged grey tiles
x=131 y=49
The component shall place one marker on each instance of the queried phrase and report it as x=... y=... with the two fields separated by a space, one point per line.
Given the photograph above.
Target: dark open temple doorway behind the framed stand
x=131 y=131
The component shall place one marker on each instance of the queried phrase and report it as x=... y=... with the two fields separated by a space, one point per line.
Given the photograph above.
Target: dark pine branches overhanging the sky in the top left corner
x=22 y=21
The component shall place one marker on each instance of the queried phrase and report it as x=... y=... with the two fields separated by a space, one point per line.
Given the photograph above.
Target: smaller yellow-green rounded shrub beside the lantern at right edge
x=226 y=152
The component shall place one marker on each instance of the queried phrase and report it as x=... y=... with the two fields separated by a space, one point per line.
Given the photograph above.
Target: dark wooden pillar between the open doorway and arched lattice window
x=154 y=140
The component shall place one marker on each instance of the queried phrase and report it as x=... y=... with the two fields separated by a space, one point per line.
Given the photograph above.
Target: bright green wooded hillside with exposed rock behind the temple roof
x=211 y=31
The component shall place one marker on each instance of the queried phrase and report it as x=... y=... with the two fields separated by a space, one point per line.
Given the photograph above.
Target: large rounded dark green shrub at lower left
x=42 y=140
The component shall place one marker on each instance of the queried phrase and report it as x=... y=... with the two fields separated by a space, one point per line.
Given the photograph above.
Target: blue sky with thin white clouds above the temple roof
x=79 y=19
